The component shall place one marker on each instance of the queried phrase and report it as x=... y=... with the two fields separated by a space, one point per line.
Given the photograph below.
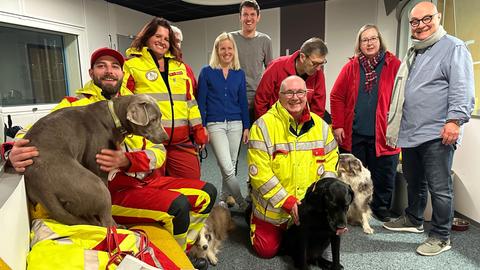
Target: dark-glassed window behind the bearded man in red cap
x=37 y=67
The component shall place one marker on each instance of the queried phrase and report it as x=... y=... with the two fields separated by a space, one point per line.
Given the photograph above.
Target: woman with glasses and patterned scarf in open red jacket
x=359 y=101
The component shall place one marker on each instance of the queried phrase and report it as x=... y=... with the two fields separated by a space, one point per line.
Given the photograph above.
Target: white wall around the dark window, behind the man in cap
x=96 y=23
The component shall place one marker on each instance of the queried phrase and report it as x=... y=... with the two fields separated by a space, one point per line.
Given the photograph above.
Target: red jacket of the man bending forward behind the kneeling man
x=279 y=69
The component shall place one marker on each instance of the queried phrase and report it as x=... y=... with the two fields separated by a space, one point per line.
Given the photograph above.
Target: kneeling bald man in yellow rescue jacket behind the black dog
x=289 y=149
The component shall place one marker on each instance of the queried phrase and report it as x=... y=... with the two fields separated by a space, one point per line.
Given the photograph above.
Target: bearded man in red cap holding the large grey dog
x=138 y=190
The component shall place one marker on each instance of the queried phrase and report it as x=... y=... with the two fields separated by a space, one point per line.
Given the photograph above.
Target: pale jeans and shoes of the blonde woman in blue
x=225 y=139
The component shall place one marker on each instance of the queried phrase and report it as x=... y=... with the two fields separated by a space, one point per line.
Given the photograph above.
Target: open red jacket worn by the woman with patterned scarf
x=344 y=97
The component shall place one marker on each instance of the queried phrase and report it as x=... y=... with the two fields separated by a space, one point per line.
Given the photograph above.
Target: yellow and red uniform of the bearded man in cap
x=142 y=194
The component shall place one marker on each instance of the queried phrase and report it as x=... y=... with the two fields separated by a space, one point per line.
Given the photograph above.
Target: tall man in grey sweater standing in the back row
x=254 y=48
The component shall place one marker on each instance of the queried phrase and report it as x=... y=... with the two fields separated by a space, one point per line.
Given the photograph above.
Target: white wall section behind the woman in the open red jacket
x=341 y=30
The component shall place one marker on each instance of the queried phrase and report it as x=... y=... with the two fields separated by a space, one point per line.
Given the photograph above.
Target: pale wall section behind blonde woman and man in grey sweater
x=199 y=35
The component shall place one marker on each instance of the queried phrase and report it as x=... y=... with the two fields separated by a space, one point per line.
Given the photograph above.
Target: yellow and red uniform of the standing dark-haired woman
x=174 y=92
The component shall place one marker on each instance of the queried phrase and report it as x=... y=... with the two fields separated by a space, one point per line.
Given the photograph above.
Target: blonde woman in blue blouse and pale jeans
x=222 y=99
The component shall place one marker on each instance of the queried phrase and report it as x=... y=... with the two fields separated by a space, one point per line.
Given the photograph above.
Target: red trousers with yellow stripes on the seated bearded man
x=173 y=202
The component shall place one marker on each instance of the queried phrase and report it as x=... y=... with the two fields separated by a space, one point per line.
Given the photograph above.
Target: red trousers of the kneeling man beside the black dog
x=266 y=237
